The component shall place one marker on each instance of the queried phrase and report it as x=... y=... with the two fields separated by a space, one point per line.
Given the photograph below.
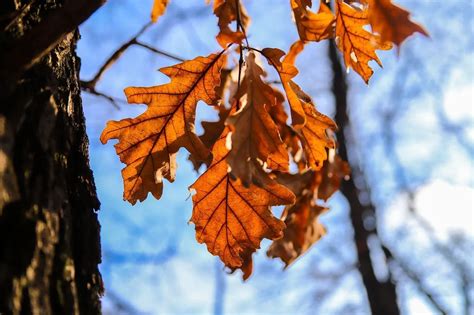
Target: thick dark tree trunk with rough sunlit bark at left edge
x=49 y=232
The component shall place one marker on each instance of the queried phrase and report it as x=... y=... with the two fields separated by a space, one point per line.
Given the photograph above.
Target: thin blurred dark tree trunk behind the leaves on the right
x=382 y=295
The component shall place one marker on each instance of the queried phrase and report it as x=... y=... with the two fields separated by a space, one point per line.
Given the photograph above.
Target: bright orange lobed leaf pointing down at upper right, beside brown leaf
x=357 y=44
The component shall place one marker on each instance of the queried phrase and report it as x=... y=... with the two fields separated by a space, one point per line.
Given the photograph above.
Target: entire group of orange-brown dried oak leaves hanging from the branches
x=250 y=150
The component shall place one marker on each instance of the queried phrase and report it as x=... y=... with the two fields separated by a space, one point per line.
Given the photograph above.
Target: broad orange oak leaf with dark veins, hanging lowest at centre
x=230 y=218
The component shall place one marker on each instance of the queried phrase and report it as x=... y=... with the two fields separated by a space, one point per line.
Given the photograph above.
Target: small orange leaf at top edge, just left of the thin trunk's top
x=313 y=26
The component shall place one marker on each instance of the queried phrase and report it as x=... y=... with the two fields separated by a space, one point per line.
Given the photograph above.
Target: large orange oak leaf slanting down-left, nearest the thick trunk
x=148 y=143
